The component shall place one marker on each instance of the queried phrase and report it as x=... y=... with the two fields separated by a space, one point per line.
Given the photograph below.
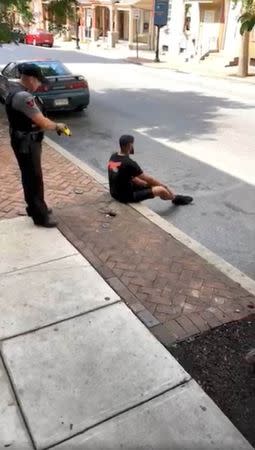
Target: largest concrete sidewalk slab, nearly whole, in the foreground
x=73 y=375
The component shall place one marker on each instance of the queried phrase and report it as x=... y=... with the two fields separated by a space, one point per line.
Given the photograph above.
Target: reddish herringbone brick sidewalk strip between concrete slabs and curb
x=171 y=289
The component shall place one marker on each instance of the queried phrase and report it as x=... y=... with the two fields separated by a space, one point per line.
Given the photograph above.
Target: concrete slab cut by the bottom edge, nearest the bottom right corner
x=181 y=419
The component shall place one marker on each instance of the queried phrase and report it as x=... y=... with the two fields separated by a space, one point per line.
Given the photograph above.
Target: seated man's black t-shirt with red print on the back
x=121 y=170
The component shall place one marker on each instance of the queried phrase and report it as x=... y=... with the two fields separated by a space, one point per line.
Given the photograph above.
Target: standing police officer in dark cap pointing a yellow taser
x=27 y=124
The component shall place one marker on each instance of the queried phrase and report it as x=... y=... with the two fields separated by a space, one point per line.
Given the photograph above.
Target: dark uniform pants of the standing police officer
x=32 y=179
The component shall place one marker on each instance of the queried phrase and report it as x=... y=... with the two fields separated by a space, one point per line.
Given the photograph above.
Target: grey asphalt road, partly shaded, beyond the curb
x=196 y=134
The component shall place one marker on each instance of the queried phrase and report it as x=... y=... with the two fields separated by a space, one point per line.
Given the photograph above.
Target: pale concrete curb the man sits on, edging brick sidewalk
x=223 y=266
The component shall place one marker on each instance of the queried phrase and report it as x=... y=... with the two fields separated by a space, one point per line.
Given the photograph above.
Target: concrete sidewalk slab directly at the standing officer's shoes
x=24 y=245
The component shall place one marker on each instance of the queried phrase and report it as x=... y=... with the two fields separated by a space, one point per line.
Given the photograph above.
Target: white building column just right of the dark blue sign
x=176 y=29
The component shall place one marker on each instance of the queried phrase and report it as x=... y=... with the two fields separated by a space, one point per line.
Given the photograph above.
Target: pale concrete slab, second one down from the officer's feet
x=57 y=290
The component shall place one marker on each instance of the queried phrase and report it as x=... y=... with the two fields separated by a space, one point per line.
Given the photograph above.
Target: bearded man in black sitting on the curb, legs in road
x=129 y=184
